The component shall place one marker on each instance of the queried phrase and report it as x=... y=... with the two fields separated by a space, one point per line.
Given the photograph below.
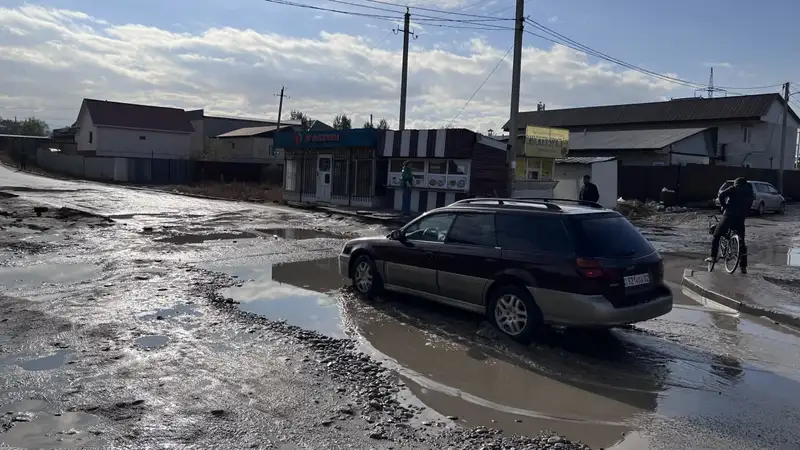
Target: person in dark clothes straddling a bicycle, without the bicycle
x=737 y=201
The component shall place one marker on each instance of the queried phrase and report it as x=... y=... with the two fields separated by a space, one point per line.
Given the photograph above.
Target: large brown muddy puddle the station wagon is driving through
x=596 y=388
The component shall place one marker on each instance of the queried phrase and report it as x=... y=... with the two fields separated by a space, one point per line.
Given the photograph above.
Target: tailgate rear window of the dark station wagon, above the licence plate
x=610 y=237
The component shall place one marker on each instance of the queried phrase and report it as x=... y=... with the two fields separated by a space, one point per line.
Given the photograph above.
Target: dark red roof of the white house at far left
x=140 y=117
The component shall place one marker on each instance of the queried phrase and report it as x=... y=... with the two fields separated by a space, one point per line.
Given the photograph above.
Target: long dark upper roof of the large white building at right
x=678 y=110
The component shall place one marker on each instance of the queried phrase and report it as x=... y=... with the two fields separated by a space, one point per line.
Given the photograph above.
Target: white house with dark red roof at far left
x=129 y=130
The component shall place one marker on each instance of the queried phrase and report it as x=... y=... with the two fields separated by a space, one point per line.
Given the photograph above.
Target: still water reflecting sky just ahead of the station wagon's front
x=293 y=292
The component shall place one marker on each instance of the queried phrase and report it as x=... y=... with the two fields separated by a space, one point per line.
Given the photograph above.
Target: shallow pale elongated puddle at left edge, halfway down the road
x=34 y=275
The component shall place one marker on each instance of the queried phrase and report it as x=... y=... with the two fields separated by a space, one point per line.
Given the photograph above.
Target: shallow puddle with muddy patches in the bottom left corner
x=37 y=426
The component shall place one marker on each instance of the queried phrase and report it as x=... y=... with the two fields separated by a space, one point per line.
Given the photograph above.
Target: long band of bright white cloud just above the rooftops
x=51 y=58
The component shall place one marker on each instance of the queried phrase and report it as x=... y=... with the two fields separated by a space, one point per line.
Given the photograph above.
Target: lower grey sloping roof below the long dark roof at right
x=629 y=139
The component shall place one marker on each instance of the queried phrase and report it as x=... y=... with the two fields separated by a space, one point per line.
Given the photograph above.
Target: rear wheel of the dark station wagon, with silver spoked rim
x=515 y=313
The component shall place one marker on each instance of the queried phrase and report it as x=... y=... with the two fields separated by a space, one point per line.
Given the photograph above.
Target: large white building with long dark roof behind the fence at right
x=736 y=131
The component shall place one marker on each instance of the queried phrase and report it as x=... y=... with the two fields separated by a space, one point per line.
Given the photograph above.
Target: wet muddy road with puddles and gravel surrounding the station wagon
x=104 y=340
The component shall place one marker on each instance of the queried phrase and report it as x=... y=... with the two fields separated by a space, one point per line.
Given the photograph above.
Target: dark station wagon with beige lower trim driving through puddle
x=523 y=263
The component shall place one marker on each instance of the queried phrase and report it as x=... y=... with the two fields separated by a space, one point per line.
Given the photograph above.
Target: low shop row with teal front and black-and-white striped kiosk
x=362 y=167
